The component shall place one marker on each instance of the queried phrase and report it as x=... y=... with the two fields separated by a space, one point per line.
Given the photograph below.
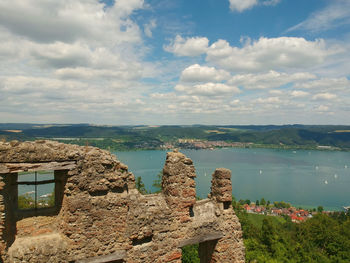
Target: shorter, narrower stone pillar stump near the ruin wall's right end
x=221 y=187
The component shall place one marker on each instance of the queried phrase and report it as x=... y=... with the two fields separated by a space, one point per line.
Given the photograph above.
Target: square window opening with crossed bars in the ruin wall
x=36 y=190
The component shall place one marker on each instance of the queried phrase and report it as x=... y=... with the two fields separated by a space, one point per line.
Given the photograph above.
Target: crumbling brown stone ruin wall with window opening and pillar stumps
x=101 y=216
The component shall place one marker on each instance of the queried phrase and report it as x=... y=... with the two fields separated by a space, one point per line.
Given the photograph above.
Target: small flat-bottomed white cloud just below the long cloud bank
x=197 y=73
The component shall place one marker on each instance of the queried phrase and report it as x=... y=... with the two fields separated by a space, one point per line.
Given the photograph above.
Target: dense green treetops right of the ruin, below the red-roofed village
x=322 y=238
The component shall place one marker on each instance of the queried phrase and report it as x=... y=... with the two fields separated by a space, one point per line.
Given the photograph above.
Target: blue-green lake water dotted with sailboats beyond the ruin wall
x=307 y=178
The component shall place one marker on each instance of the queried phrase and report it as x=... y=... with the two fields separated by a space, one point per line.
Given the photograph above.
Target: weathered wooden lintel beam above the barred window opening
x=32 y=167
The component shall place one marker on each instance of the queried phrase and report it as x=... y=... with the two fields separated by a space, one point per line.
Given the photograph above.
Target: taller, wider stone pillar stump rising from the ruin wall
x=178 y=185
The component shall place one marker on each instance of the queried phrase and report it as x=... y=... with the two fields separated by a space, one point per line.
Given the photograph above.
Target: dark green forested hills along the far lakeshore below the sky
x=152 y=137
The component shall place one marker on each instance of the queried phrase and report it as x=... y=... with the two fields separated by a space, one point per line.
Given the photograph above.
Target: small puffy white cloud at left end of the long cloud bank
x=193 y=46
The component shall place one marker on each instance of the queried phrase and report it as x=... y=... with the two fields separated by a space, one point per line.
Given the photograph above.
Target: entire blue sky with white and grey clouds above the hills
x=163 y=62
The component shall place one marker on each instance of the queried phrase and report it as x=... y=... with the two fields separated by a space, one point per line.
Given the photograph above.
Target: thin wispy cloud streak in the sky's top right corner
x=336 y=14
